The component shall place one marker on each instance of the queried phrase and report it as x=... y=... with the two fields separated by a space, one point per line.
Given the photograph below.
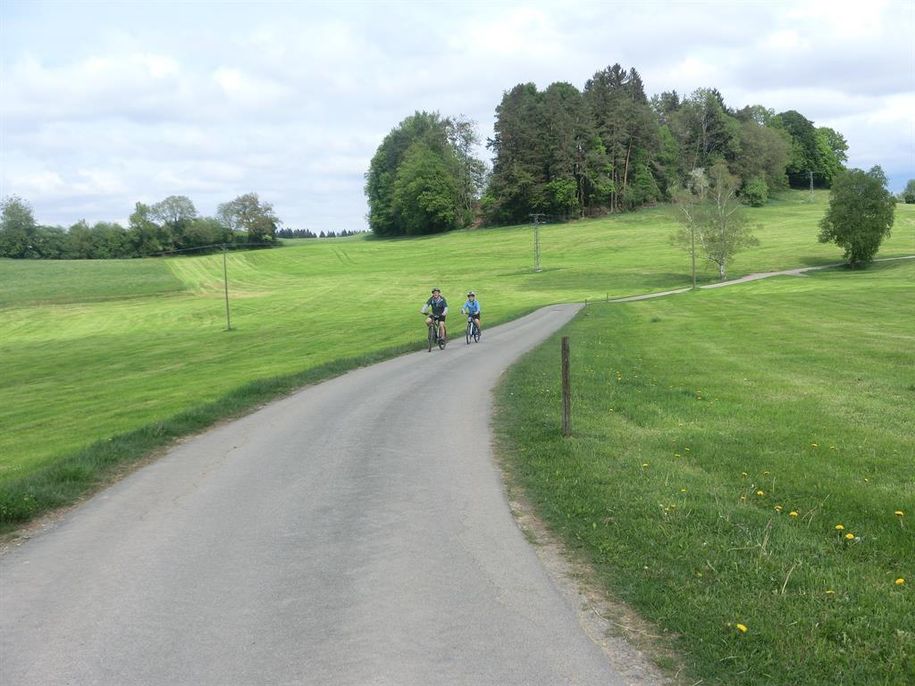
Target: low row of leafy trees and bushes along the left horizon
x=169 y=226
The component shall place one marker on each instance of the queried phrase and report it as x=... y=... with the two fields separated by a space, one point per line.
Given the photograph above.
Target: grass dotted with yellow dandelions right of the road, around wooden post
x=742 y=458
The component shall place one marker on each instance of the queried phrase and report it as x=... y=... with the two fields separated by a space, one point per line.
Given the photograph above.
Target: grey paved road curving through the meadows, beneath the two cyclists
x=354 y=533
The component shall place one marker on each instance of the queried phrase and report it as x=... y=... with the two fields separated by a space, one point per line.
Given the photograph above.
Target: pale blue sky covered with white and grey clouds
x=106 y=104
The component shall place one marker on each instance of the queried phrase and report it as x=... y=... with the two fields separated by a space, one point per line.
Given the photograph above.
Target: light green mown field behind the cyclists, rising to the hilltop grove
x=92 y=350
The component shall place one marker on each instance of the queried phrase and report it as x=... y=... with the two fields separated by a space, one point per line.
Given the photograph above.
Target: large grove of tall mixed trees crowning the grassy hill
x=566 y=153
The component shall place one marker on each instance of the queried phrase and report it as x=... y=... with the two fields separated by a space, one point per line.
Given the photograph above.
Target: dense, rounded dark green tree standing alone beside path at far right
x=860 y=214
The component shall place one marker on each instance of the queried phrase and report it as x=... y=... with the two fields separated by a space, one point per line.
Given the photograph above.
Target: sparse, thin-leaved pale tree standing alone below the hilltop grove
x=713 y=221
